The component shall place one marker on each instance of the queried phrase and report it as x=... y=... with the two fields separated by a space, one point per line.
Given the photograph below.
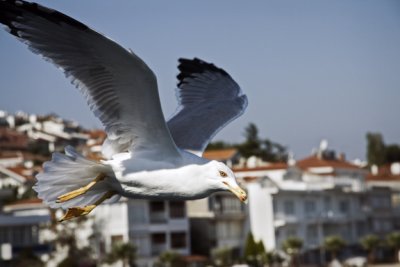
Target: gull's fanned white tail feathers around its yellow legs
x=68 y=172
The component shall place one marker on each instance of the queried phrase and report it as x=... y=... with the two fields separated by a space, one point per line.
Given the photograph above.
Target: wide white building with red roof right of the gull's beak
x=313 y=198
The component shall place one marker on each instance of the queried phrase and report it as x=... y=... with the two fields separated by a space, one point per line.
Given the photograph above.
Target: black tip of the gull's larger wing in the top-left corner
x=12 y=11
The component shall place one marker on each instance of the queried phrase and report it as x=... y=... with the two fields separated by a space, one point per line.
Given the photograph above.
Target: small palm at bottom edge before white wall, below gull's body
x=126 y=252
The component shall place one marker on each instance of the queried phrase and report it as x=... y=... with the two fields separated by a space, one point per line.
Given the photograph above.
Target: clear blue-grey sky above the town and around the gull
x=311 y=69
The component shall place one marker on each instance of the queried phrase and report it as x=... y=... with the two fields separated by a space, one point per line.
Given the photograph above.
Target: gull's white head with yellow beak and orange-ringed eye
x=223 y=179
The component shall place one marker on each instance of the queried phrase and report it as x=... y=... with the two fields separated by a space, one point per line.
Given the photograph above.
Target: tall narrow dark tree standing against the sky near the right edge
x=375 y=149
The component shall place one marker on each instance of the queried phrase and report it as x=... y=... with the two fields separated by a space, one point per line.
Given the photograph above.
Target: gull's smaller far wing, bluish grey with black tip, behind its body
x=208 y=100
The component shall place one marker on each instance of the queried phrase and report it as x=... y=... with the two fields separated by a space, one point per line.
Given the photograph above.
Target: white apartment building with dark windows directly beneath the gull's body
x=153 y=227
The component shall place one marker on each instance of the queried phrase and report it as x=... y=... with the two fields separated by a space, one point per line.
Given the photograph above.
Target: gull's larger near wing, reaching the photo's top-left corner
x=119 y=87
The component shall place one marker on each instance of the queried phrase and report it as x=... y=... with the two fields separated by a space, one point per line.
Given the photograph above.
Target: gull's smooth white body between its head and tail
x=145 y=178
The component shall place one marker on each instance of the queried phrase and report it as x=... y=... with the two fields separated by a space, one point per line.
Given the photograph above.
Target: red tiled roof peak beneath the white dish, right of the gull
x=314 y=162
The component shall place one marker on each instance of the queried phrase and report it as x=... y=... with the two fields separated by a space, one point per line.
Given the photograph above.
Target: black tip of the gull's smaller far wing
x=189 y=67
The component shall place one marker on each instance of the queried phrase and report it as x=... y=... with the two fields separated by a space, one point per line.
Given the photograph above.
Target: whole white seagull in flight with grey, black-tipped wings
x=145 y=156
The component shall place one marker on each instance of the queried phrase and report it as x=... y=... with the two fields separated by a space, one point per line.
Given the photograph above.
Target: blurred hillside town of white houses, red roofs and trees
x=295 y=207
